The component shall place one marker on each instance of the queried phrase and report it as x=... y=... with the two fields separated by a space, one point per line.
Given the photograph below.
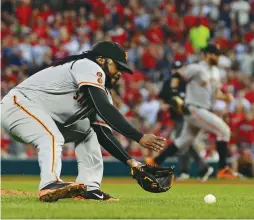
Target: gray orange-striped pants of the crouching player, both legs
x=30 y=123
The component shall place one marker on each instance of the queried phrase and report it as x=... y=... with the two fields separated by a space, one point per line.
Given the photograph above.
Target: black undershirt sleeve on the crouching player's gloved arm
x=108 y=141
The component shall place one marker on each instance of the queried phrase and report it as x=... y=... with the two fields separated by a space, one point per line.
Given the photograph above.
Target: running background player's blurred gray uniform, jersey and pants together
x=202 y=83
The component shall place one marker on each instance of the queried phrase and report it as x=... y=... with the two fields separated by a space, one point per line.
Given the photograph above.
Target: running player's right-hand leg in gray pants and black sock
x=212 y=123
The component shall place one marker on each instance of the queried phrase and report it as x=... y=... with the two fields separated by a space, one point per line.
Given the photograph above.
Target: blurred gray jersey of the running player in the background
x=202 y=83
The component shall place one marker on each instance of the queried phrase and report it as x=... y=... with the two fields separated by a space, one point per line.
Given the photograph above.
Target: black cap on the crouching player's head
x=114 y=51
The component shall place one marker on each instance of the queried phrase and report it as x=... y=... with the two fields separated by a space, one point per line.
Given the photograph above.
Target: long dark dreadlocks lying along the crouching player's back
x=87 y=54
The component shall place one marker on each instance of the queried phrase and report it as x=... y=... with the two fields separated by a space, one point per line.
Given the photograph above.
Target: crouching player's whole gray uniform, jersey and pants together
x=47 y=110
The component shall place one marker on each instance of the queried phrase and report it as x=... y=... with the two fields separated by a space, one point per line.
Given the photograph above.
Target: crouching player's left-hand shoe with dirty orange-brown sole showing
x=60 y=190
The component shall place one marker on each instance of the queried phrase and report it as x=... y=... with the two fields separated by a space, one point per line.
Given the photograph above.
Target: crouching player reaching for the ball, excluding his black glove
x=53 y=107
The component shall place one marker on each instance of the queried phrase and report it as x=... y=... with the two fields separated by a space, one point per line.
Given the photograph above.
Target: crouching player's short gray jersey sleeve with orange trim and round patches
x=88 y=73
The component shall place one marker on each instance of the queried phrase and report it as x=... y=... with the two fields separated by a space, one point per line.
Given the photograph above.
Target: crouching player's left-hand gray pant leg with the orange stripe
x=27 y=121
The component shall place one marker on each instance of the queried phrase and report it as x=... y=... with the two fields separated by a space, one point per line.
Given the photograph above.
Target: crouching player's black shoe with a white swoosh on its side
x=96 y=195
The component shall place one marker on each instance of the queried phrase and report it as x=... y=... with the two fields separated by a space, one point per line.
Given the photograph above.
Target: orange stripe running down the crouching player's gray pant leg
x=44 y=126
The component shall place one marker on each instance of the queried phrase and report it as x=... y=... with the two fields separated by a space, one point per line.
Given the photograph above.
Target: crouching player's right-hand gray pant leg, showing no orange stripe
x=88 y=153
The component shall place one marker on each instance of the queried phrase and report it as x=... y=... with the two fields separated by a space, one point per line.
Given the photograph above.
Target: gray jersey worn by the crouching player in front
x=56 y=89
